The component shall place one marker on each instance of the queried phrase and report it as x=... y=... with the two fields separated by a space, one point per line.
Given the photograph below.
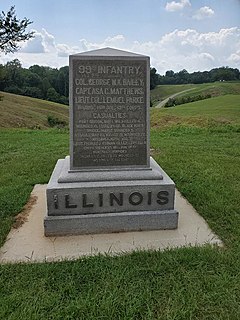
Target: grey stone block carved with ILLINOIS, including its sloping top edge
x=81 y=198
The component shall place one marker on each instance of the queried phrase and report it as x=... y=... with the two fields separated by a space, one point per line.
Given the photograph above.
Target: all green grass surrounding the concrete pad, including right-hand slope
x=201 y=152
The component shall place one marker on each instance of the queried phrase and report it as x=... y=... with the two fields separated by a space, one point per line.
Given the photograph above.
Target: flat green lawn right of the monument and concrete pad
x=204 y=163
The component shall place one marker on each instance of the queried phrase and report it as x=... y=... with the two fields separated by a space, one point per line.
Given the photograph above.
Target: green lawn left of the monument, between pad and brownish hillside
x=27 y=158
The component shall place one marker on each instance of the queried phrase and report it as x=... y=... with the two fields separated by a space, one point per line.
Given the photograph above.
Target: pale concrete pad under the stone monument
x=28 y=243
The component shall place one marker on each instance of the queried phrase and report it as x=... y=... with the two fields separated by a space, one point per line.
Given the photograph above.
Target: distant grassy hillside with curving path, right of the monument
x=215 y=89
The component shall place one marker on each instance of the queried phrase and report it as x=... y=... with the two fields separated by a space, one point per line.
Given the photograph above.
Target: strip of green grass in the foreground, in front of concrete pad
x=194 y=283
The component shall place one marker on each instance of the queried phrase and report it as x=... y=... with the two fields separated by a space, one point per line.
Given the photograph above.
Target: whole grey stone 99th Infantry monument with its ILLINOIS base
x=109 y=183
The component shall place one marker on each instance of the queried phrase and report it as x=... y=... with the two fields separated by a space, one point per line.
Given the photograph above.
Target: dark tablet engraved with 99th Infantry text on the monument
x=109 y=113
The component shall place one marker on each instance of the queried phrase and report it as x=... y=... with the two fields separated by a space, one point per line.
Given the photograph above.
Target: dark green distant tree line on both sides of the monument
x=53 y=84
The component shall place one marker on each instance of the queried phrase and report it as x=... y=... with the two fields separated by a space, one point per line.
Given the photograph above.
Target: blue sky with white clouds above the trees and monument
x=180 y=34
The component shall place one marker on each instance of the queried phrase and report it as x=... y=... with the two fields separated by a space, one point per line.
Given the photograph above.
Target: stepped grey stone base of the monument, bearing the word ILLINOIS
x=78 y=206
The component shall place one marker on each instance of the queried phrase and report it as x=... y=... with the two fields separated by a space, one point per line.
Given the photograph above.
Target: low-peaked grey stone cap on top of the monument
x=109 y=52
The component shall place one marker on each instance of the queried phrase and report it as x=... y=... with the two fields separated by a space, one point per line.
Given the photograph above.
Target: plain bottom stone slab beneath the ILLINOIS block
x=112 y=222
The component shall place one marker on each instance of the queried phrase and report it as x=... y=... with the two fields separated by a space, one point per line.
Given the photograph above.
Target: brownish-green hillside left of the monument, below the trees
x=24 y=112
